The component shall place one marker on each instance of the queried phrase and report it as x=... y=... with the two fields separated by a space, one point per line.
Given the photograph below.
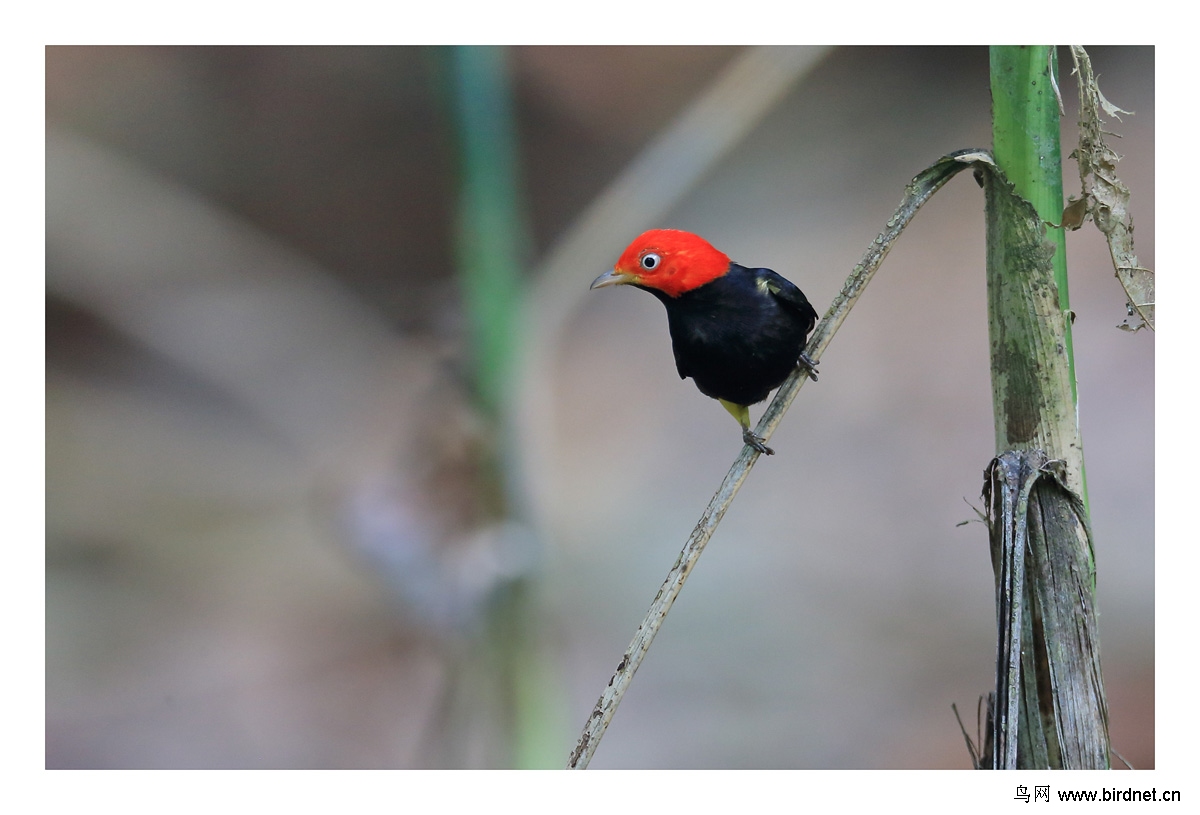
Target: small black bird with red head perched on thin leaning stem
x=737 y=332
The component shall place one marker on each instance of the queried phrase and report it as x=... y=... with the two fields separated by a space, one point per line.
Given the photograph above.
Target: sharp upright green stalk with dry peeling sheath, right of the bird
x=1049 y=710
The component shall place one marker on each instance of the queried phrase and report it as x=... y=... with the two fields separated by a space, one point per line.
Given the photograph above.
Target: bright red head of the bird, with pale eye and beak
x=670 y=261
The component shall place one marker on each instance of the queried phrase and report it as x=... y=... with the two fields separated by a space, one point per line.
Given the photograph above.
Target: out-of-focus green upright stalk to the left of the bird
x=493 y=249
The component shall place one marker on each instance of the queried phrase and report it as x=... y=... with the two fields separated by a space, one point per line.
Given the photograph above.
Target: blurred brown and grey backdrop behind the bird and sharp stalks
x=346 y=468
